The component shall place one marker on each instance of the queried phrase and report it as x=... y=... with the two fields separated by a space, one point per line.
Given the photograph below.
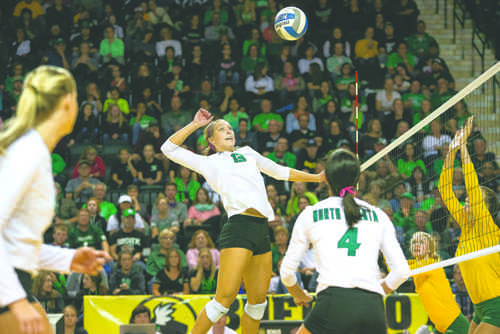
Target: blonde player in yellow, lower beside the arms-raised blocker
x=434 y=289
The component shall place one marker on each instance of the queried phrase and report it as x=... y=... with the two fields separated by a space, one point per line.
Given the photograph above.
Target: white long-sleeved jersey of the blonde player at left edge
x=28 y=199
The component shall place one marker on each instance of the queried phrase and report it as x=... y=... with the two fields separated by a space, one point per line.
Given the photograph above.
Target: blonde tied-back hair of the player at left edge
x=43 y=89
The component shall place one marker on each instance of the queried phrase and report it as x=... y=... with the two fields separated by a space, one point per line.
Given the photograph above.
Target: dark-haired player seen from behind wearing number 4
x=347 y=235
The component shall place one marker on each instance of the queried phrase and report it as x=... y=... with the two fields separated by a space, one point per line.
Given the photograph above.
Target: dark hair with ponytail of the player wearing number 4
x=342 y=173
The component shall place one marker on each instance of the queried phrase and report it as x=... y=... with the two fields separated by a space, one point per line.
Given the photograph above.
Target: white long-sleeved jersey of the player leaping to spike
x=235 y=176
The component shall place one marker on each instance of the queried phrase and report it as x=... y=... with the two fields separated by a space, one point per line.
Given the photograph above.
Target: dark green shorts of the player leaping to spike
x=242 y=231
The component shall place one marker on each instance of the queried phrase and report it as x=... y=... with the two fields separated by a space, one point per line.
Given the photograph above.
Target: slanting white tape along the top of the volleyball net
x=423 y=123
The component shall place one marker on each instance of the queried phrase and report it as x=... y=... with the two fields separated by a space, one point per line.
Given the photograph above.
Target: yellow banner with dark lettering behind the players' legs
x=176 y=314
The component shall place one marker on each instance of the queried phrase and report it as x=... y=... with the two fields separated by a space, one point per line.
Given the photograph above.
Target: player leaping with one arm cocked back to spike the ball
x=235 y=174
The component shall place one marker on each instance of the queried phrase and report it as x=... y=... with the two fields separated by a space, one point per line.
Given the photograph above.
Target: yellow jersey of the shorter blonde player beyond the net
x=436 y=295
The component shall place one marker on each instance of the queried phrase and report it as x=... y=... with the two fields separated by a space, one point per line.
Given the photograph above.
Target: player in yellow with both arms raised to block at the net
x=476 y=219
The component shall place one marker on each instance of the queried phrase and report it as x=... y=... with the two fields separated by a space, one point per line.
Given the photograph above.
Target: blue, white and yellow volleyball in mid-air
x=290 y=23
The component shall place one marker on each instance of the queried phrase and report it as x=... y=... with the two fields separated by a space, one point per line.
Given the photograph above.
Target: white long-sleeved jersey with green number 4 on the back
x=345 y=257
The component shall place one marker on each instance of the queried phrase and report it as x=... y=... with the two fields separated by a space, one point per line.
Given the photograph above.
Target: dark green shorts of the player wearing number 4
x=343 y=310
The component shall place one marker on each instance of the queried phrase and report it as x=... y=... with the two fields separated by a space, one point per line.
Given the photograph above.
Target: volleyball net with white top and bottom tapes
x=424 y=194
